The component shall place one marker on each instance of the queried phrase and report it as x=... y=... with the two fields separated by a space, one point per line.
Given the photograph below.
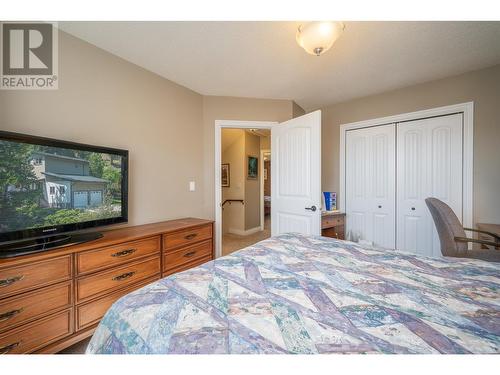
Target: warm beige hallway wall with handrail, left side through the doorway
x=233 y=215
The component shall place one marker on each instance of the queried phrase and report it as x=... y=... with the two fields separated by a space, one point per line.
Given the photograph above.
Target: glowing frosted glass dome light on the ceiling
x=317 y=37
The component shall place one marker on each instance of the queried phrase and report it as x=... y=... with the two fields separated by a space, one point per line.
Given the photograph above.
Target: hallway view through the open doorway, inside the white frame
x=245 y=183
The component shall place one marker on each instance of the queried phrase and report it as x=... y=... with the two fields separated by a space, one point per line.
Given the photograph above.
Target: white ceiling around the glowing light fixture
x=262 y=59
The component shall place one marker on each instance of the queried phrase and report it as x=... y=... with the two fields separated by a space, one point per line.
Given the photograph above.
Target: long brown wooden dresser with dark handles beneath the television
x=53 y=299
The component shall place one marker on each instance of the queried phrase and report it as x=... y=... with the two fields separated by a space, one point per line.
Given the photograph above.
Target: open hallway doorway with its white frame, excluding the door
x=239 y=184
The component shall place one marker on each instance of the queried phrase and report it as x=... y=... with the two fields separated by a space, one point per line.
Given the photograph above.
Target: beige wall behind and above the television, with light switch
x=104 y=100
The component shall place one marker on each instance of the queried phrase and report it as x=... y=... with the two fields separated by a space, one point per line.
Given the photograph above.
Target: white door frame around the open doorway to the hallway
x=219 y=125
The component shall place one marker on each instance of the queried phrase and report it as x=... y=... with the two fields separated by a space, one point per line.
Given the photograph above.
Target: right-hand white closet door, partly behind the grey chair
x=429 y=164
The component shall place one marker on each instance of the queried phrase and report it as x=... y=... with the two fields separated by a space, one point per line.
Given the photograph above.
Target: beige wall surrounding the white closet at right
x=482 y=87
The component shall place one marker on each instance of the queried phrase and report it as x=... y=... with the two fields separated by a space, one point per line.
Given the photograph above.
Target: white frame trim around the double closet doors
x=468 y=147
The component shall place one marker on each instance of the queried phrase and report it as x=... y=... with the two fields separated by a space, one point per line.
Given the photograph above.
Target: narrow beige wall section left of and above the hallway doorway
x=229 y=108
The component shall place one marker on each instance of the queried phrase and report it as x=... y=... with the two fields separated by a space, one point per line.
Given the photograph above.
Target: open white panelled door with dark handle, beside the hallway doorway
x=296 y=175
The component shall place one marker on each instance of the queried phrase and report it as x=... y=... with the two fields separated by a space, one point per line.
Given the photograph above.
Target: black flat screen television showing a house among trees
x=51 y=190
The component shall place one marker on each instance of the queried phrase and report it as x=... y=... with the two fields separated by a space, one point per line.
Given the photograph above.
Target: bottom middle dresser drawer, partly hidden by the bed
x=90 y=313
